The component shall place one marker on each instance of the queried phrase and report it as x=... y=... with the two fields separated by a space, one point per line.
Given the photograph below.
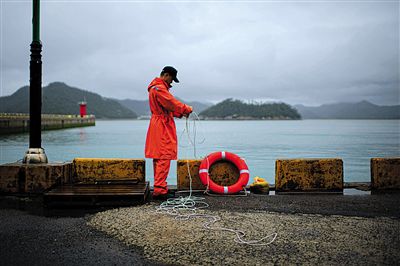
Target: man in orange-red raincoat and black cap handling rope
x=161 y=140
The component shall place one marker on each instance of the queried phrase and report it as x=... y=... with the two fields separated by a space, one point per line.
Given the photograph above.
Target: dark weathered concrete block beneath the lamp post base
x=33 y=178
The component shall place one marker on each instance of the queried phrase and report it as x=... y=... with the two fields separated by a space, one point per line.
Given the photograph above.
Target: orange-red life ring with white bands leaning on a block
x=227 y=156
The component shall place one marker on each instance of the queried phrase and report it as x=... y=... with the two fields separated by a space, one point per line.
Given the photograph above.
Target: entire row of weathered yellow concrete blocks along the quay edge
x=292 y=175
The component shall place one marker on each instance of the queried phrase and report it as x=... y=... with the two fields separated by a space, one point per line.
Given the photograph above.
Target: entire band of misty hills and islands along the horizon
x=60 y=98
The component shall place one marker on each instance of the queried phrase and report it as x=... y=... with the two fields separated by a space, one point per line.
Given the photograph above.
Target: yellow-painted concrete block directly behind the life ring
x=222 y=172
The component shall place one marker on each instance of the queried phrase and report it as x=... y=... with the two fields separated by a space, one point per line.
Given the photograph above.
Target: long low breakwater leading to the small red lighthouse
x=19 y=123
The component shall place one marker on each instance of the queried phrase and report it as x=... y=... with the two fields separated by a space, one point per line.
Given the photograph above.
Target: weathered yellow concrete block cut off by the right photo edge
x=385 y=173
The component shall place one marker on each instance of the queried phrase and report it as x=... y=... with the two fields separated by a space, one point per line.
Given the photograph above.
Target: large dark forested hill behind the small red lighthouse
x=59 y=98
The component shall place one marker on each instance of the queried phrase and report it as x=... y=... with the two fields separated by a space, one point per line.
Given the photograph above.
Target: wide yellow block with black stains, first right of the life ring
x=302 y=175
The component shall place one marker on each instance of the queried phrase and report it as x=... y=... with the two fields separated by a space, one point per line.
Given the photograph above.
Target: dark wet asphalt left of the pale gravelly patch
x=33 y=235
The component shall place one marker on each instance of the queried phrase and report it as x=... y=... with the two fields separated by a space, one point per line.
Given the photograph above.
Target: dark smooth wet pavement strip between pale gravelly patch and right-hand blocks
x=379 y=205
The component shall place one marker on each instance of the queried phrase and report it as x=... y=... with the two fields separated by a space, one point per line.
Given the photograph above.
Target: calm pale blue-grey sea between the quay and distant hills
x=259 y=142
